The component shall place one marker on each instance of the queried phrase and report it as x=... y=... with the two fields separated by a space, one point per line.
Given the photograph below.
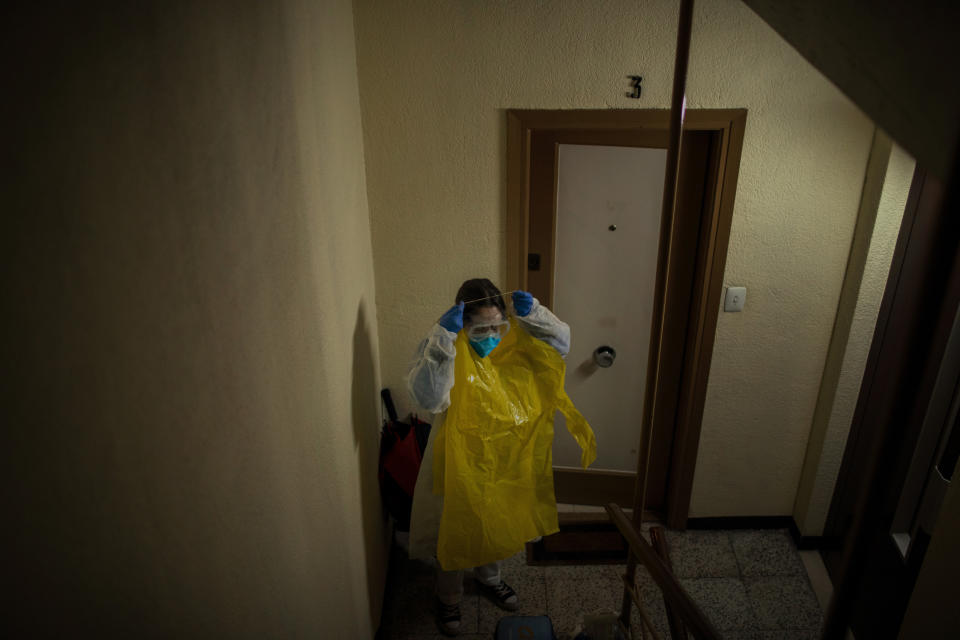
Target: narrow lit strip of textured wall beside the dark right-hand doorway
x=859 y=307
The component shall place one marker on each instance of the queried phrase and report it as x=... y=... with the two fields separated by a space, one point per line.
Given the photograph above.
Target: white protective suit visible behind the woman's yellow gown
x=429 y=383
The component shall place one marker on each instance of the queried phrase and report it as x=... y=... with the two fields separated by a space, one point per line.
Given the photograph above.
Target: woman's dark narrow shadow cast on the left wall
x=366 y=438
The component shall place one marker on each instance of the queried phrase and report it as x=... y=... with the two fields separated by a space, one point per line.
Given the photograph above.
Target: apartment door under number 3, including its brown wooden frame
x=604 y=282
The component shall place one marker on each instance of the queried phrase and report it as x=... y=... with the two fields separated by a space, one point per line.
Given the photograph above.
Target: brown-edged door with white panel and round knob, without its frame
x=604 y=286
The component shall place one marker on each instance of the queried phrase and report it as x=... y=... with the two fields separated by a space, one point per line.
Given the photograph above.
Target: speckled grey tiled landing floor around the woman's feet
x=752 y=584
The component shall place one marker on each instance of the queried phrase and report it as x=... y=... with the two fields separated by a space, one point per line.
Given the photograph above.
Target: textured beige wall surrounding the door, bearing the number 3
x=435 y=80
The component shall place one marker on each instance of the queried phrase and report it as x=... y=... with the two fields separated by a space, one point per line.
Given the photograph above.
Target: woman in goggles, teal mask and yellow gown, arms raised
x=479 y=319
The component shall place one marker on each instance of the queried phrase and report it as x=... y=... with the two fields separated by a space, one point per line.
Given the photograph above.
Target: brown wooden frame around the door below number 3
x=716 y=217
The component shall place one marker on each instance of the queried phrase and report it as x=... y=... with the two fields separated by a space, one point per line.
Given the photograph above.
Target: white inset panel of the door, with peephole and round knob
x=608 y=230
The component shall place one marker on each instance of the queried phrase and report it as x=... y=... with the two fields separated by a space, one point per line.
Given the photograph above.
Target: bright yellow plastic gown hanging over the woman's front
x=492 y=456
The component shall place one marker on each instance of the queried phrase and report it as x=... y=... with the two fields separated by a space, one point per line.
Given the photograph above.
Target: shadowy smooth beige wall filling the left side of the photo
x=192 y=430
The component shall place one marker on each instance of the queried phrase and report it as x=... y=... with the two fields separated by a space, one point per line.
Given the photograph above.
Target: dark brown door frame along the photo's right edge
x=922 y=295
